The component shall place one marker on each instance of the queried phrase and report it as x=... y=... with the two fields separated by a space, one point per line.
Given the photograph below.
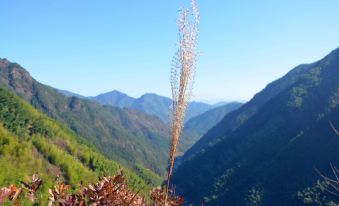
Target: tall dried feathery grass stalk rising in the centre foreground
x=182 y=77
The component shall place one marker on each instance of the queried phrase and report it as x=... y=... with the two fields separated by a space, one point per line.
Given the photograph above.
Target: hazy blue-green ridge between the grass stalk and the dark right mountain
x=197 y=126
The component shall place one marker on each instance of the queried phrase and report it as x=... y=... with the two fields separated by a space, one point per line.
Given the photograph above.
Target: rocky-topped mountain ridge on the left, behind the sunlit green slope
x=124 y=135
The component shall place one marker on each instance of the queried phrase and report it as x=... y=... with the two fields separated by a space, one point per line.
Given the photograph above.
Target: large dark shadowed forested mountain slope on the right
x=266 y=152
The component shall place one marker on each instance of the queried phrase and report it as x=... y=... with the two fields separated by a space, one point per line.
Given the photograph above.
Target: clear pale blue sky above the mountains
x=94 y=46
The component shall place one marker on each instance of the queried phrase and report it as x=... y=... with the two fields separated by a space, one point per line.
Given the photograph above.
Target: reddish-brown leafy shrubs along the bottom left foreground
x=107 y=191
